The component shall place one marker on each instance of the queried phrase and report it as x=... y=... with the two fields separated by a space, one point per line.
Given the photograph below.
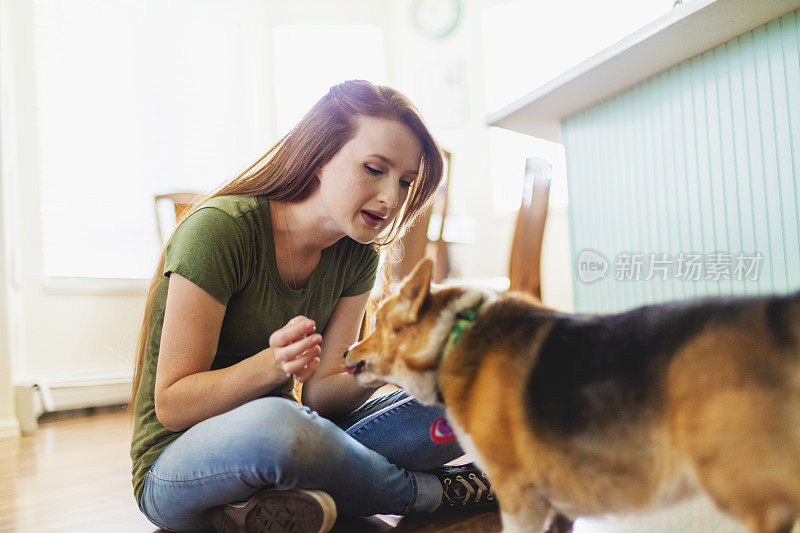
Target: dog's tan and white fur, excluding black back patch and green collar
x=721 y=414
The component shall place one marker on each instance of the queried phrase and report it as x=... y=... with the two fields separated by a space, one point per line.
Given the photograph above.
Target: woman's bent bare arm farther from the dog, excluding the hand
x=186 y=391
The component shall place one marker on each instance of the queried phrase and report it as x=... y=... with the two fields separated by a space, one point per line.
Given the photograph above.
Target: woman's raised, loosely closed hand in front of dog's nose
x=296 y=348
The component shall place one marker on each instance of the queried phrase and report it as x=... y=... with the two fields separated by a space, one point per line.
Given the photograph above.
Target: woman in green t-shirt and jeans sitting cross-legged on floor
x=267 y=279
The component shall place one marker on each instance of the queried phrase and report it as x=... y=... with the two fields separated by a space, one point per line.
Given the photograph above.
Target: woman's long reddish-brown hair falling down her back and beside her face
x=286 y=173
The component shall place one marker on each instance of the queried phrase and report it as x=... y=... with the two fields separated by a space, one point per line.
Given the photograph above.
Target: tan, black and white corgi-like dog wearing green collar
x=575 y=415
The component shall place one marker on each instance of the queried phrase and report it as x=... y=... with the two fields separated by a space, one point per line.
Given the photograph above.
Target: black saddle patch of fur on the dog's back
x=595 y=370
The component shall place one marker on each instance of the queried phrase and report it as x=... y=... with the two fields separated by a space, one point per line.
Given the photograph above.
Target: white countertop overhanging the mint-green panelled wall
x=686 y=31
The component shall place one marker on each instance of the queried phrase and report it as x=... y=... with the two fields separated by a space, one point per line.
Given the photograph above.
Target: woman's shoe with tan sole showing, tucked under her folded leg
x=276 y=510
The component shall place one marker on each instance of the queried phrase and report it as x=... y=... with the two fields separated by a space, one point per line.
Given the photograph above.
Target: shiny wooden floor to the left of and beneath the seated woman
x=75 y=475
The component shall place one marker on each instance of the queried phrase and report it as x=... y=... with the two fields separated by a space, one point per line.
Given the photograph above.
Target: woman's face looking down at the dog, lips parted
x=364 y=185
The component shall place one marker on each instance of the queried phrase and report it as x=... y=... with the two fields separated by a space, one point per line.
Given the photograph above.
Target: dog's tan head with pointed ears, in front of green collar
x=410 y=329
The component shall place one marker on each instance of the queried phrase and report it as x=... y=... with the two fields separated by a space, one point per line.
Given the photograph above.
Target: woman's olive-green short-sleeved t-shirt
x=226 y=247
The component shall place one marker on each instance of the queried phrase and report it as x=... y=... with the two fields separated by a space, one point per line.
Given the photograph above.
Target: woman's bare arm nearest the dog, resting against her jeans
x=331 y=391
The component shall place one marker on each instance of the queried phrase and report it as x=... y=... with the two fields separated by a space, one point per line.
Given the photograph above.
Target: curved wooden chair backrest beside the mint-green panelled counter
x=524 y=270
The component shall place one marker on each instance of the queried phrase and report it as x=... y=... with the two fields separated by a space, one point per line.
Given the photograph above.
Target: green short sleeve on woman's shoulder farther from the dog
x=208 y=249
